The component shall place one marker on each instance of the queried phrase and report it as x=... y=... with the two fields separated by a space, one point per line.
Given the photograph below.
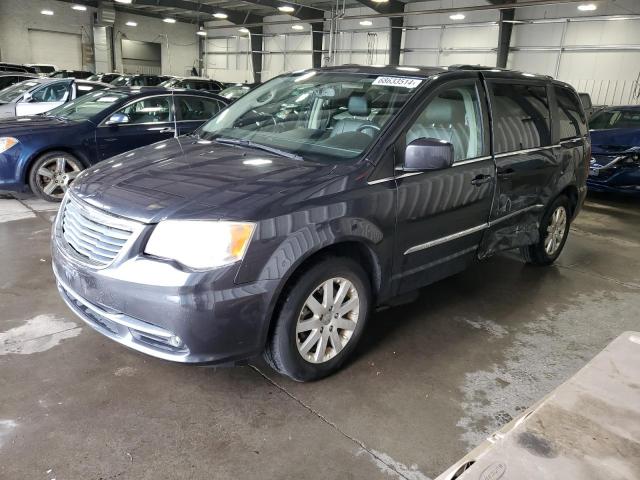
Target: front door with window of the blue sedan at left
x=149 y=120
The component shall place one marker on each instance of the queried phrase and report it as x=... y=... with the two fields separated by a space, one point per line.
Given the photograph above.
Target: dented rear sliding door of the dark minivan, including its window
x=526 y=163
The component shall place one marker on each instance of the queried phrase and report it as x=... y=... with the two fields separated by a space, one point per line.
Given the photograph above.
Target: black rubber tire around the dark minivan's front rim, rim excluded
x=289 y=358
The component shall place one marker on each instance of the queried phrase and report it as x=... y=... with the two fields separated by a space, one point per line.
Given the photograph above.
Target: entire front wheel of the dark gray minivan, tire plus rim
x=297 y=351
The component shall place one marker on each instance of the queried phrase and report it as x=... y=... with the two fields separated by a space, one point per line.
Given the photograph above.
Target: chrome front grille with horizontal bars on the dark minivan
x=95 y=237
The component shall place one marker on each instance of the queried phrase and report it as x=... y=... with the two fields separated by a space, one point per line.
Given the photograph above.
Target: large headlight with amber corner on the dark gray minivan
x=200 y=244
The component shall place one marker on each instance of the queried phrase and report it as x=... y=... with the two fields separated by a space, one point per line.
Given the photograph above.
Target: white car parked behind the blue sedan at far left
x=39 y=95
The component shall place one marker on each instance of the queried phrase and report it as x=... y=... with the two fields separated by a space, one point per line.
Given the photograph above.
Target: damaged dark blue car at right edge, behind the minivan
x=615 y=150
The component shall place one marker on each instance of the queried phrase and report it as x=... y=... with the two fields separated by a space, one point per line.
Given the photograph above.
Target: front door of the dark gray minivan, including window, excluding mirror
x=442 y=214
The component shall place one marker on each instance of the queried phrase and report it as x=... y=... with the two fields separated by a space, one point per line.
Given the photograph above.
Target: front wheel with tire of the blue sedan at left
x=61 y=169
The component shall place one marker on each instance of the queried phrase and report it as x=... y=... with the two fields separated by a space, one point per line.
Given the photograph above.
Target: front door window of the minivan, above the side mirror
x=454 y=116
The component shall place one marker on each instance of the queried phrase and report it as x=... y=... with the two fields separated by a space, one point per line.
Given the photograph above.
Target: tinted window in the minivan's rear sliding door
x=520 y=116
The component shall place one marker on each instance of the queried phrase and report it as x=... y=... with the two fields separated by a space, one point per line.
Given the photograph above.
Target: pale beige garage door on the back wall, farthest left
x=61 y=49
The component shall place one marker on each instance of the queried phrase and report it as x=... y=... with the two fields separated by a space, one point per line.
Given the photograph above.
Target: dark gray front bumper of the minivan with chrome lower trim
x=157 y=308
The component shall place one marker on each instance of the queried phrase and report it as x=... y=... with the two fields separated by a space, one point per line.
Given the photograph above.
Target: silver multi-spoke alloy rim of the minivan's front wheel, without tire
x=327 y=320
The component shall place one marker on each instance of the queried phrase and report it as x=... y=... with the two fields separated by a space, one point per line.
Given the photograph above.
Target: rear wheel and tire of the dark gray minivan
x=553 y=234
